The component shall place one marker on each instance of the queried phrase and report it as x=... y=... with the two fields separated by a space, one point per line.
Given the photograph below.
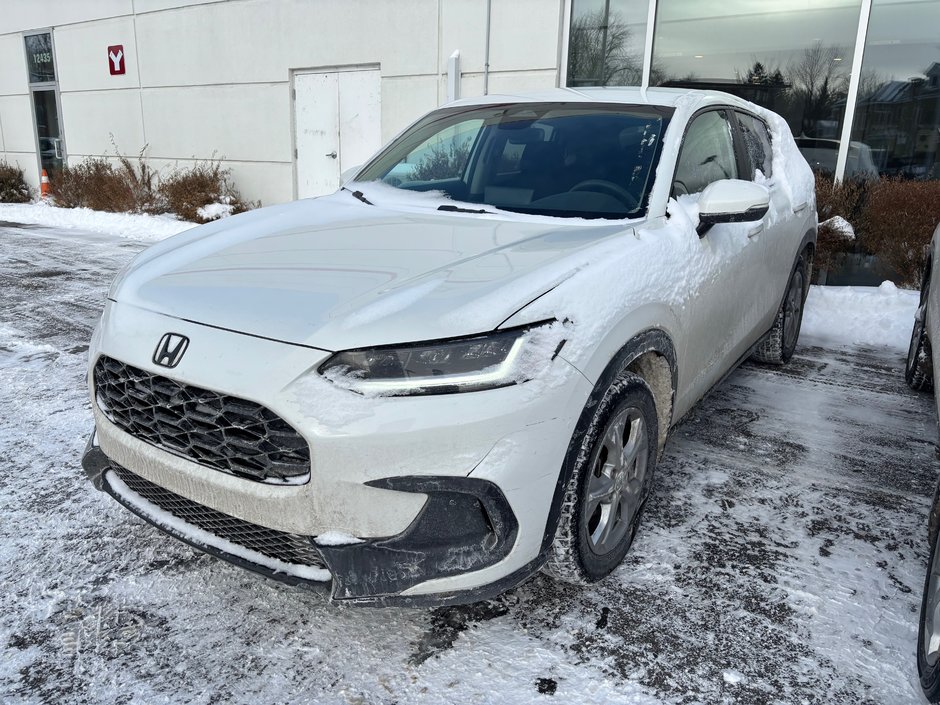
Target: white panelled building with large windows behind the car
x=275 y=88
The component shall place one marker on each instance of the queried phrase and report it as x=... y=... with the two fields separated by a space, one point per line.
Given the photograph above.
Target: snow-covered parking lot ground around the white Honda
x=780 y=559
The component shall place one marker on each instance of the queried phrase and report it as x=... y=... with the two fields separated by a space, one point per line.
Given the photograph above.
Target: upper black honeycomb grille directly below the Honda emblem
x=226 y=433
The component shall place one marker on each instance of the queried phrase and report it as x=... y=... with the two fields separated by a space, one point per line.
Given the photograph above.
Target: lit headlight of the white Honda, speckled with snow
x=478 y=362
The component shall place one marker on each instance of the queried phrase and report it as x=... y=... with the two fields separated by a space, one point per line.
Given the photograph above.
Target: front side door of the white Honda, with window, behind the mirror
x=728 y=269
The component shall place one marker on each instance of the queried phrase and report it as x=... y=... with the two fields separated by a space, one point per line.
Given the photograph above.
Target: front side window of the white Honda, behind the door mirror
x=707 y=153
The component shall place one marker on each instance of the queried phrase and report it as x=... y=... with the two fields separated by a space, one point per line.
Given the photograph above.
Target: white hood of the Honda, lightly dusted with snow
x=335 y=273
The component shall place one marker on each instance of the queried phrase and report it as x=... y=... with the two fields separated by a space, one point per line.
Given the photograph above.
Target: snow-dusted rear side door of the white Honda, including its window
x=772 y=237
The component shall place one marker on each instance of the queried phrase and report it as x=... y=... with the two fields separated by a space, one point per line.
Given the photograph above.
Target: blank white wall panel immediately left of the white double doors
x=247 y=122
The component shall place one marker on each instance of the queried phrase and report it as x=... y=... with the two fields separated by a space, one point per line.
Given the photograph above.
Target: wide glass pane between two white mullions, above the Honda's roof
x=792 y=56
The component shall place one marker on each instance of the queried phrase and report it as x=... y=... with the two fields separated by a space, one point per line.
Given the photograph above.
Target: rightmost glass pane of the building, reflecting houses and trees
x=898 y=112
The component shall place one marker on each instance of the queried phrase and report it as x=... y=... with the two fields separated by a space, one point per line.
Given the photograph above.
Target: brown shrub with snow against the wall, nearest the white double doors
x=186 y=191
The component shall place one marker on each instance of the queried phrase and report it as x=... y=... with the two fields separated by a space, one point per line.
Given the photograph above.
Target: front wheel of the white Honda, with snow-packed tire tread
x=580 y=552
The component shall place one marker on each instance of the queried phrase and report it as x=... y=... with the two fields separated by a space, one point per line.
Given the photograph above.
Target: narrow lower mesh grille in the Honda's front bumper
x=288 y=548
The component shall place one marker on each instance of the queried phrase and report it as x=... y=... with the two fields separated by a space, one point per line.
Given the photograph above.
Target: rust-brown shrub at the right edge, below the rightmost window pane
x=898 y=220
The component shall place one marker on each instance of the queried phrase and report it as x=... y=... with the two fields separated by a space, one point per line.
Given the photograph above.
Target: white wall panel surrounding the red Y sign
x=82 y=55
